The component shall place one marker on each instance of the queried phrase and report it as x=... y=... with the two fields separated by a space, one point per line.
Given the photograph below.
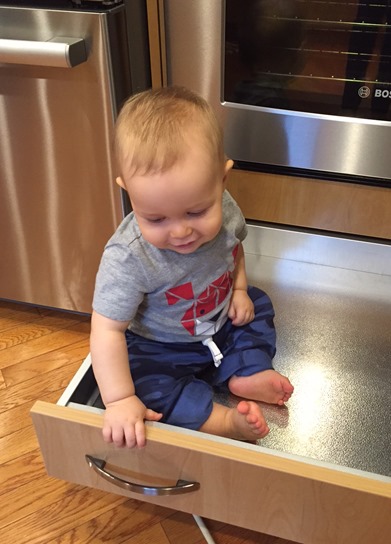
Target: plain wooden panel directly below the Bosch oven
x=327 y=205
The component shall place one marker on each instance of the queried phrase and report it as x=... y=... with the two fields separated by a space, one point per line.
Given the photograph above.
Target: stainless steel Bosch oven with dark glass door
x=298 y=84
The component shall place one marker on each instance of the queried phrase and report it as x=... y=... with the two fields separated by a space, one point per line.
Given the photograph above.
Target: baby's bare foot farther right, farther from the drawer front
x=267 y=386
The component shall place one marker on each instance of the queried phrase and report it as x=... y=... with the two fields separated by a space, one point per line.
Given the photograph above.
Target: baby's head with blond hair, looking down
x=170 y=153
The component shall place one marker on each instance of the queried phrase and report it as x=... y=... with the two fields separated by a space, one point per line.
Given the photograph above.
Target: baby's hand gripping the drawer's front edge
x=124 y=422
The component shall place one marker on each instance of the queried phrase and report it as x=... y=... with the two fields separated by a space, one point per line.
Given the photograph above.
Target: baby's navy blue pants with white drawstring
x=177 y=379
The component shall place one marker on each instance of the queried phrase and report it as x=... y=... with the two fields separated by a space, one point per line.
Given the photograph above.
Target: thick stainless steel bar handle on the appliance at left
x=56 y=52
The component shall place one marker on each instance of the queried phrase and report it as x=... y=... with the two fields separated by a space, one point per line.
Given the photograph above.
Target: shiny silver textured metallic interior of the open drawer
x=332 y=298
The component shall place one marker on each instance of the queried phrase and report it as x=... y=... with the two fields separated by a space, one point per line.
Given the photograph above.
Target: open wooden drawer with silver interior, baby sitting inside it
x=323 y=474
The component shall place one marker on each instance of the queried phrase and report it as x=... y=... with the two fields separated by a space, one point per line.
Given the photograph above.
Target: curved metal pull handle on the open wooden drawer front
x=98 y=465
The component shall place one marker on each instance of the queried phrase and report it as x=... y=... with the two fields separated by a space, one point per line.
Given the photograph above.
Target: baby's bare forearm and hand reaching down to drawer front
x=125 y=413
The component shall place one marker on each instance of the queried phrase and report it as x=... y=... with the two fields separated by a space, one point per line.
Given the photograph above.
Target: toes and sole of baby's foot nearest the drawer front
x=247 y=421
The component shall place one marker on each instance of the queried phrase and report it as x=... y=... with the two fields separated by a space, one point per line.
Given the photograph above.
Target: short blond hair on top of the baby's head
x=154 y=126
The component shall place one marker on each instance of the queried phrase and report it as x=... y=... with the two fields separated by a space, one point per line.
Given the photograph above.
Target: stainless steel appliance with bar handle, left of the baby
x=65 y=67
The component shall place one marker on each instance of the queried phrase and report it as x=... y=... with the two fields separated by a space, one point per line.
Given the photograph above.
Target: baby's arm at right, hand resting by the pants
x=241 y=309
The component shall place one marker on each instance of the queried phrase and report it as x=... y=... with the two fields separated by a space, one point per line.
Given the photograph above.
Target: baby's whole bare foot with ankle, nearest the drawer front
x=244 y=422
